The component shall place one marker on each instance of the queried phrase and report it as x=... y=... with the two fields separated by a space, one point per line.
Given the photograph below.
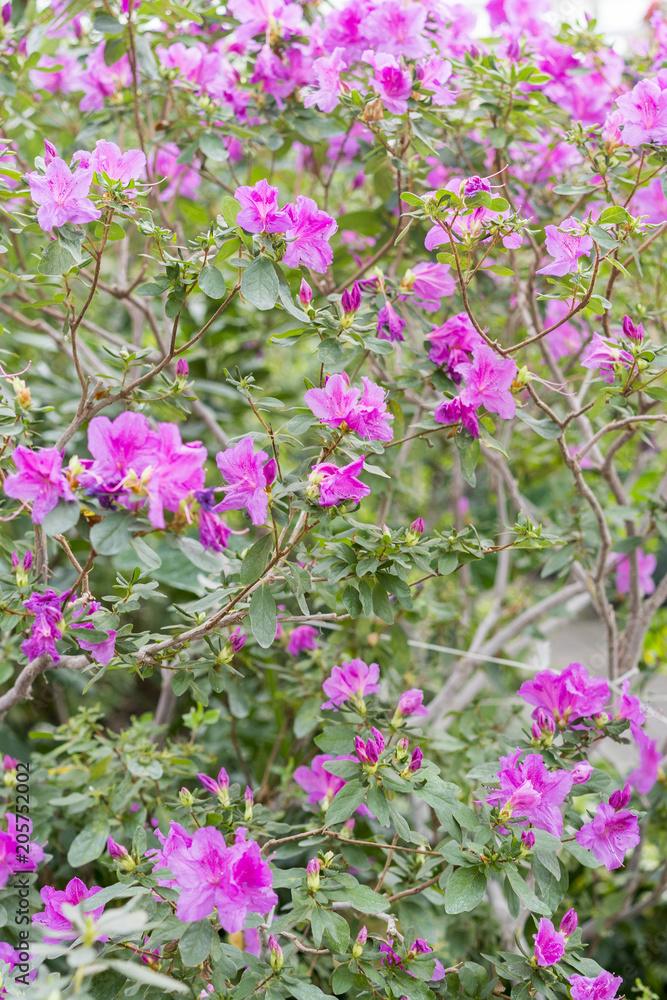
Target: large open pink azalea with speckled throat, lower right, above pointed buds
x=531 y=792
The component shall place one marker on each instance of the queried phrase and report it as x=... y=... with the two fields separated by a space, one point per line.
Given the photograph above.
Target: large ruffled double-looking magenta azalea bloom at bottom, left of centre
x=234 y=880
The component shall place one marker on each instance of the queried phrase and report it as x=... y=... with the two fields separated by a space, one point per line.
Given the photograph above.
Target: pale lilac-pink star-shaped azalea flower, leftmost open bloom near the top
x=62 y=196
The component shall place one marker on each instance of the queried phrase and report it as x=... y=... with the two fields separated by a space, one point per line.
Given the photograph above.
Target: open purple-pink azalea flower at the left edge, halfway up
x=39 y=477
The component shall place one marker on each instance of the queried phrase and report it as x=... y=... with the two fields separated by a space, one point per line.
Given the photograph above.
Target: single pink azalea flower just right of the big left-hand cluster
x=249 y=475
